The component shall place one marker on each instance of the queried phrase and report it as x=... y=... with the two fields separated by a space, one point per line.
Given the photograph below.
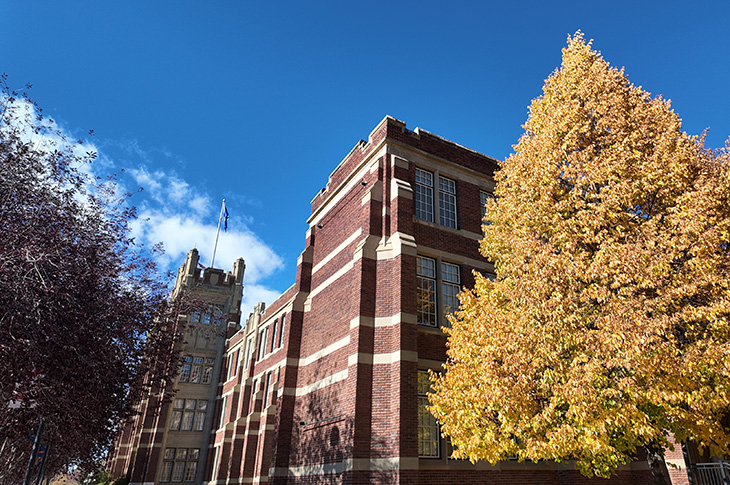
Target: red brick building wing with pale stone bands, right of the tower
x=328 y=384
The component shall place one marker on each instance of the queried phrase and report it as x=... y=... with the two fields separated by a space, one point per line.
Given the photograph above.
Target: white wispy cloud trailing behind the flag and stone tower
x=170 y=210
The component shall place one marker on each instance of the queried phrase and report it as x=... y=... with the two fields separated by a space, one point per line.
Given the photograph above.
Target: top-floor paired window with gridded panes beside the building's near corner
x=426 y=206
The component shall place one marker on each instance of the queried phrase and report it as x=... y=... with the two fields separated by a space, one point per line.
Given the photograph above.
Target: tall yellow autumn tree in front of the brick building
x=608 y=326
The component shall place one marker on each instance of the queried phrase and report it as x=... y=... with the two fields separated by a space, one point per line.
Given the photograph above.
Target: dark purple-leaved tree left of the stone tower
x=83 y=312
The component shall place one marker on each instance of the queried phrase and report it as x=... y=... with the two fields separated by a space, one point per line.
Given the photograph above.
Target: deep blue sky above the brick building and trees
x=257 y=102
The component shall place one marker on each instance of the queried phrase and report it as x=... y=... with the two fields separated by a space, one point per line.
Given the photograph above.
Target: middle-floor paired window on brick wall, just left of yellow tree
x=426 y=294
